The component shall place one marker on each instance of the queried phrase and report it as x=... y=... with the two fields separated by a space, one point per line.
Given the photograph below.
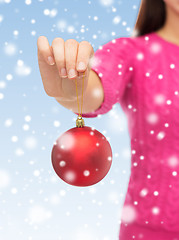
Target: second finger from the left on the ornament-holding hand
x=59 y=55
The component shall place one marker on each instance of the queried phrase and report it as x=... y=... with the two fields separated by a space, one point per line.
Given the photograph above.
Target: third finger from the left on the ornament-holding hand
x=71 y=48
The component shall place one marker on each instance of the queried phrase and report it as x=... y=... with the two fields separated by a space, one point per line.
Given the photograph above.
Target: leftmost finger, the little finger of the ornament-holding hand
x=44 y=50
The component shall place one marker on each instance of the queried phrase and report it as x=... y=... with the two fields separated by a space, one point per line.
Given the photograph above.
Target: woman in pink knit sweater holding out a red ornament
x=141 y=73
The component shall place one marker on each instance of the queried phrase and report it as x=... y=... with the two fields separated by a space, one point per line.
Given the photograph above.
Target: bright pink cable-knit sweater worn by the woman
x=142 y=74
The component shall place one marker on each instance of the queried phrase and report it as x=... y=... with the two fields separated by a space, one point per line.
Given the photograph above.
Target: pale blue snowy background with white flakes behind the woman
x=34 y=203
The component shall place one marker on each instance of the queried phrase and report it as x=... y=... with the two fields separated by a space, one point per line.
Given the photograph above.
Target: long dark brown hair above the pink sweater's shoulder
x=151 y=17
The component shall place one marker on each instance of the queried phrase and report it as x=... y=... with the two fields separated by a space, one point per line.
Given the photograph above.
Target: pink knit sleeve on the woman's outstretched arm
x=112 y=64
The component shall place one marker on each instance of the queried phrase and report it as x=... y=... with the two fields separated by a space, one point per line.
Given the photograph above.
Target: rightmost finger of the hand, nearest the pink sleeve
x=85 y=51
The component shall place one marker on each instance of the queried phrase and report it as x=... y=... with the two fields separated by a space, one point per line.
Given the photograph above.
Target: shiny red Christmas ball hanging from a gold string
x=81 y=156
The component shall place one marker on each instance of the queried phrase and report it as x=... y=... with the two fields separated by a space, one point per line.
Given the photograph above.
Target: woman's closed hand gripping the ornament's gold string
x=60 y=56
